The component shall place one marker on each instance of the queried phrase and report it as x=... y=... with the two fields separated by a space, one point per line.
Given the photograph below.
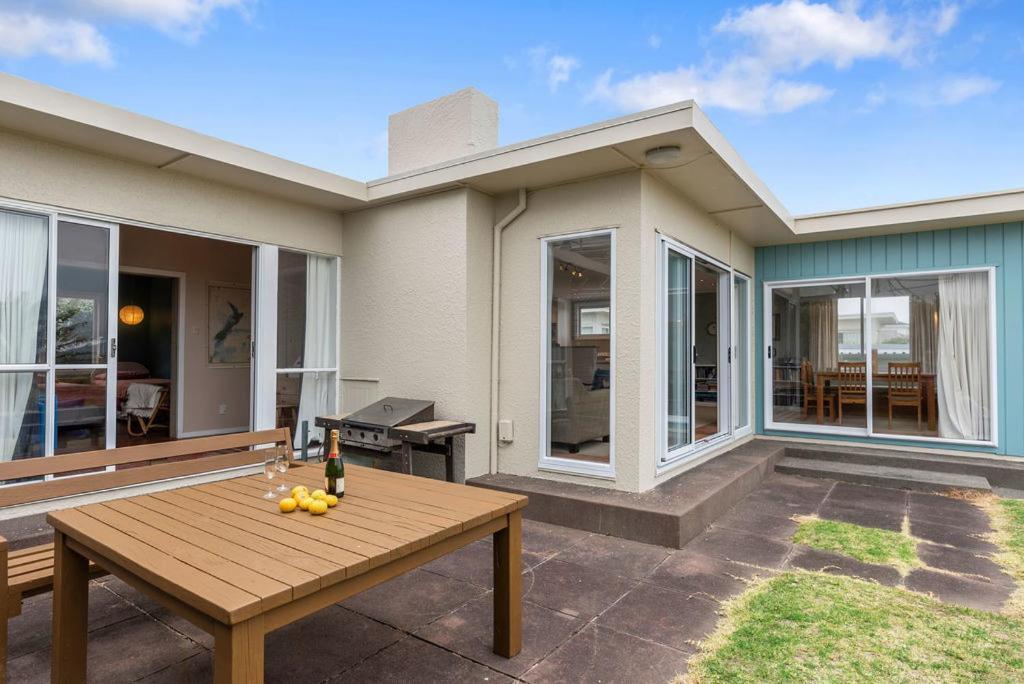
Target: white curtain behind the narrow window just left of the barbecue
x=319 y=390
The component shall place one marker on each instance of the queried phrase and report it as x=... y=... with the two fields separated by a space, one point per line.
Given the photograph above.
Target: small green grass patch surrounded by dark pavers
x=870 y=545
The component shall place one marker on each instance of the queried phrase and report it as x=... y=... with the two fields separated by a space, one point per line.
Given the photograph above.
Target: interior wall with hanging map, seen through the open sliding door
x=207 y=389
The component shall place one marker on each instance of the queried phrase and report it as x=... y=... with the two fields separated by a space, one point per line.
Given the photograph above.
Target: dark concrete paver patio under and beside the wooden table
x=596 y=609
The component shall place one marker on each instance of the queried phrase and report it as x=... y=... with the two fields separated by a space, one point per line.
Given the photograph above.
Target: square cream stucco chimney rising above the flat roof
x=457 y=125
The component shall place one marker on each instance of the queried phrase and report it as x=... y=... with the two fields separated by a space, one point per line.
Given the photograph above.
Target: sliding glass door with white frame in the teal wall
x=903 y=356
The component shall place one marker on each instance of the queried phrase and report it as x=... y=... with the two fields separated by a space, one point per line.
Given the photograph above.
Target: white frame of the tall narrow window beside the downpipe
x=547 y=462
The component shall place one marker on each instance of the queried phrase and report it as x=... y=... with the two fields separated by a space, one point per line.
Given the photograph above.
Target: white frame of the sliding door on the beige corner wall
x=691 y=454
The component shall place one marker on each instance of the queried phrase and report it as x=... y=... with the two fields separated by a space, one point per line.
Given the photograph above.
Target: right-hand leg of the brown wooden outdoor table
x=508 y=587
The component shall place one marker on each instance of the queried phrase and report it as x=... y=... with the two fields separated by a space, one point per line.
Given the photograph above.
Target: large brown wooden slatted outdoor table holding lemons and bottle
x=228 y=561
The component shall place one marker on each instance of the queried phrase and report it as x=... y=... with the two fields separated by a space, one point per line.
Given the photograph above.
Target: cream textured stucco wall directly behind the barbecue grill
x=412 y=321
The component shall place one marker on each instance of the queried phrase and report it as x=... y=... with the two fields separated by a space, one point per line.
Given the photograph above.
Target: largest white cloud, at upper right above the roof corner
x=778 y=40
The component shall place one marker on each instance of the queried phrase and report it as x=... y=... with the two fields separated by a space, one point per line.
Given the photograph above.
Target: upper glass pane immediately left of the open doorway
x=82 y=293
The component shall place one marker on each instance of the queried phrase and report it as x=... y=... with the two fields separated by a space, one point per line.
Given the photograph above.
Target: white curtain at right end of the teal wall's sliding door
x=963 y=357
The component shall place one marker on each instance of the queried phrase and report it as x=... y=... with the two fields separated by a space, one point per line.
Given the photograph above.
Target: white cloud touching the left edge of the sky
x=24 y=34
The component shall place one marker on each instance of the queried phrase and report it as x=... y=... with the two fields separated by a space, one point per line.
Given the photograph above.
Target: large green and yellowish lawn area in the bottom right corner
x=810 y=627
